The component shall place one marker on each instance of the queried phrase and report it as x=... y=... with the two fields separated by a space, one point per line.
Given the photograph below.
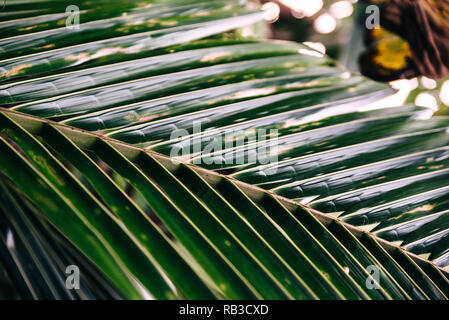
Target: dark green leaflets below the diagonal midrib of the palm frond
x=269 y=247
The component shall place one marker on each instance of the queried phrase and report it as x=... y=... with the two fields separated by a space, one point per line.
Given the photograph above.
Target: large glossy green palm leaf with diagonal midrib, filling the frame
x=142 y=225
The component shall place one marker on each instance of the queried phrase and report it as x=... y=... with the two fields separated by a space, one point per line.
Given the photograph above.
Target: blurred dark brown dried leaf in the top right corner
x=424 y=24
